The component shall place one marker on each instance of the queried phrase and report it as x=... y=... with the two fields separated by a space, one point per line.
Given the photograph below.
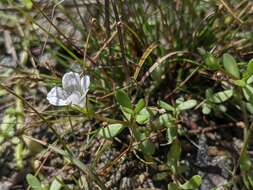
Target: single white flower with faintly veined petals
x=73 y=91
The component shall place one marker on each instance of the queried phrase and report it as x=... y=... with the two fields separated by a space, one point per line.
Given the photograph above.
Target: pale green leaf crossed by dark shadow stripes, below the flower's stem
x=111 y=131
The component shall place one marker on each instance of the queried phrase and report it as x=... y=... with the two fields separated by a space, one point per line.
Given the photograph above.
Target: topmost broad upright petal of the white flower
x=71 y=82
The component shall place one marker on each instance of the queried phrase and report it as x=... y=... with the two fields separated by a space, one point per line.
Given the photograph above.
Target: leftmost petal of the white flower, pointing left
x=57 y=96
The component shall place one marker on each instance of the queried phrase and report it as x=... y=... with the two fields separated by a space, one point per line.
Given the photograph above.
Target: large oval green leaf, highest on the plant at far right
x=230 y=65
